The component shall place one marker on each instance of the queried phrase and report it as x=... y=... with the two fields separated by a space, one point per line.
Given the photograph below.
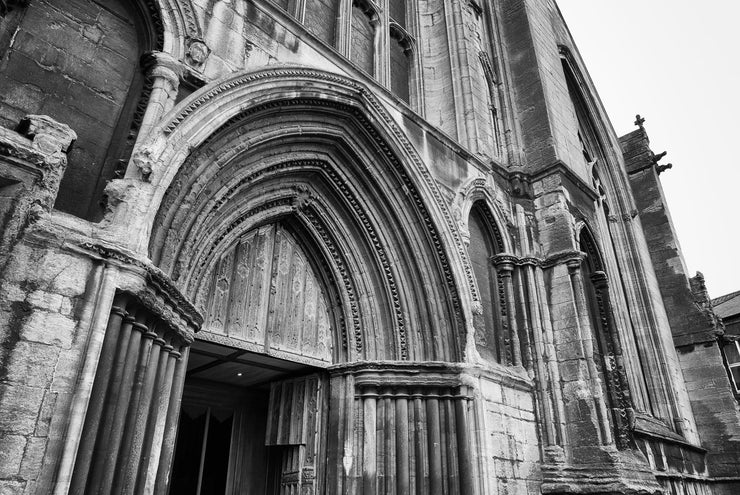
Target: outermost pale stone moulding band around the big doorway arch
x=191 y=123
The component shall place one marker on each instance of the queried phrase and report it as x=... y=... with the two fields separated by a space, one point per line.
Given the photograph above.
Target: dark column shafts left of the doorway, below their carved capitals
x=130 y=404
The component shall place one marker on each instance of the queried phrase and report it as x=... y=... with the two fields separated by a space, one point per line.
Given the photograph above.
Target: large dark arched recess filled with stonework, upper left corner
x=84 y=73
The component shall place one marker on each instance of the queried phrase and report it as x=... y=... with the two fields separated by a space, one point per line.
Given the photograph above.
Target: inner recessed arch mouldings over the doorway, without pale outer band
x=237 y=180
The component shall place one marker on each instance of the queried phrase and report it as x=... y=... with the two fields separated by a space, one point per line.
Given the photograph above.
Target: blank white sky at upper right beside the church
x=677 y=63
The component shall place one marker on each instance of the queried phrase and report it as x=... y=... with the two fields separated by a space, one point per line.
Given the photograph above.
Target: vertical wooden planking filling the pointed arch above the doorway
x=264 y=290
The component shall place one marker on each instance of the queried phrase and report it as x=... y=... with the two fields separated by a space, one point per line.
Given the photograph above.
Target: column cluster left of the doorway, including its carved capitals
x=128 y=436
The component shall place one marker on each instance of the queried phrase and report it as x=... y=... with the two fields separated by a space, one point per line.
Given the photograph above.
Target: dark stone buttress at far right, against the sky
x=696 y=330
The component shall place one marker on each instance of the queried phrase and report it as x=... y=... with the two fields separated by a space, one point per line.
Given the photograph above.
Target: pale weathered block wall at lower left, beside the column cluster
x=46 y=295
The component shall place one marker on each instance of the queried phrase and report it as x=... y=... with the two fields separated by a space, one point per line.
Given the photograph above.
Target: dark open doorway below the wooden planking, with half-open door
x=234 y=403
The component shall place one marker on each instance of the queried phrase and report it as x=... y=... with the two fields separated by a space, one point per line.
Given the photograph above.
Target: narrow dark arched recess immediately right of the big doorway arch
x=483 y=245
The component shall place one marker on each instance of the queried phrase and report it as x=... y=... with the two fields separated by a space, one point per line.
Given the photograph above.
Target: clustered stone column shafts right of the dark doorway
x=414 y=440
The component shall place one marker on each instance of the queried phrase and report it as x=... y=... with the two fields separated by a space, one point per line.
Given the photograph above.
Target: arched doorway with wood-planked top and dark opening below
x=251 y=410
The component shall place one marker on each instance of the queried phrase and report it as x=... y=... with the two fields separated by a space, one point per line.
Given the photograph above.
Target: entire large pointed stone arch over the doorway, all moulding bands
x=321 y=151
